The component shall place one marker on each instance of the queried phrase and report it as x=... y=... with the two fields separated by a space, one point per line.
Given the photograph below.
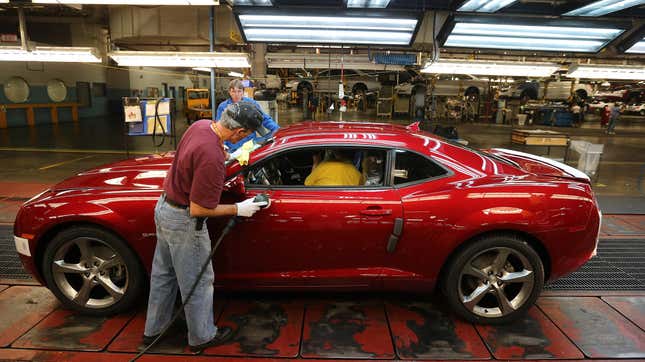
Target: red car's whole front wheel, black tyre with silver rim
x=108 y=261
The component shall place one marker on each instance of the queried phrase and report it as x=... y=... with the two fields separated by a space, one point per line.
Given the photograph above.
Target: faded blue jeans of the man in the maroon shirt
x=179 y=256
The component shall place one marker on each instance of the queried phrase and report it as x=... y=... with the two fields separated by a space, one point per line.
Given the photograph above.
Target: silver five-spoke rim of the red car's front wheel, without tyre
x=90 y=273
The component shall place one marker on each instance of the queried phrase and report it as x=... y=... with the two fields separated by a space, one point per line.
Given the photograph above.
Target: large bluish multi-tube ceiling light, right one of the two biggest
x=530 y=37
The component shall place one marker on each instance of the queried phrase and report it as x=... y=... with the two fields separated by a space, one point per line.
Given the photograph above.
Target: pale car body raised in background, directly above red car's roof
x=326 y=81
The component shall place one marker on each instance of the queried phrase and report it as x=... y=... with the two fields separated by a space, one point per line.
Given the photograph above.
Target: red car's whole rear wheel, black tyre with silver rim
x=462 y=289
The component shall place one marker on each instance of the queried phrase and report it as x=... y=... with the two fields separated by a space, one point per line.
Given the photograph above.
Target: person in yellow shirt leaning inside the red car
x=336 y=170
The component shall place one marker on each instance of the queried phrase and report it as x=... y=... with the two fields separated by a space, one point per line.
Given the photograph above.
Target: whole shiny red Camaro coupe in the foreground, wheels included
x=486 y=227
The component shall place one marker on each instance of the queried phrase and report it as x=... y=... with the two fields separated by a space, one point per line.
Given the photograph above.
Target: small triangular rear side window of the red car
x=411 y=167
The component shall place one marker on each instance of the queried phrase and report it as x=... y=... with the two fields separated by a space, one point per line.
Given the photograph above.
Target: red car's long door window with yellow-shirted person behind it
x=321 y=167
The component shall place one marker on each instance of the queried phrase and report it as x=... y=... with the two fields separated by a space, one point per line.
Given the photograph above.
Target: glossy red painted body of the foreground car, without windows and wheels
x=396 y=236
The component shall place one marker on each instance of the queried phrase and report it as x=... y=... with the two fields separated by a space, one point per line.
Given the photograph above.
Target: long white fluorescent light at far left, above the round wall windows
x=50 y=54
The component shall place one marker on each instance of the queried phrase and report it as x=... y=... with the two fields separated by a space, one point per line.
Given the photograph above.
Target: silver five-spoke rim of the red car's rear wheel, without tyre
x=496 y=282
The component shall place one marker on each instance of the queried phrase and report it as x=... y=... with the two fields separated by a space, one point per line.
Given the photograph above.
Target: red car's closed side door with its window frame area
x=310 y=237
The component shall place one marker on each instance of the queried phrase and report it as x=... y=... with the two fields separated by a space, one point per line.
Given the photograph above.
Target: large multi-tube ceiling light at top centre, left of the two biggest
x=327 y=29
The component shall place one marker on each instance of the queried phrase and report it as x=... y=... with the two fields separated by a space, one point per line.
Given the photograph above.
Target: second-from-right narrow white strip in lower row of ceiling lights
x=509 y=69
